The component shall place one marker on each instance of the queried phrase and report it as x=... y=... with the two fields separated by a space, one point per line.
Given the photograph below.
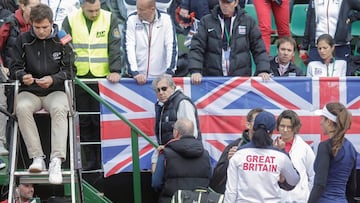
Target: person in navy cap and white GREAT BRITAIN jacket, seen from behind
x=258 y=171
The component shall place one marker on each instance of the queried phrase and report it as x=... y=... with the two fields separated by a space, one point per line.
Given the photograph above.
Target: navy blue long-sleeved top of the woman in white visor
x=334 y=176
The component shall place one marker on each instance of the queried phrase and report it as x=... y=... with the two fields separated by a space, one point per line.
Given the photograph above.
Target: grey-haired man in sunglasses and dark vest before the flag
x=172 y=104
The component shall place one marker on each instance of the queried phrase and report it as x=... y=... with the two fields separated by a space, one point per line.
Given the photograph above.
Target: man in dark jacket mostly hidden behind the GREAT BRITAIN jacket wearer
x=218 y=180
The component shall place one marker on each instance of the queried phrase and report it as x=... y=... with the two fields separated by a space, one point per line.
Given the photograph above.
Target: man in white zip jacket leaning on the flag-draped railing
x=150 y=42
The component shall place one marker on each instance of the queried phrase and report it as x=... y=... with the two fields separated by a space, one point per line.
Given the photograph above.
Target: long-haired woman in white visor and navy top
x=335 y=162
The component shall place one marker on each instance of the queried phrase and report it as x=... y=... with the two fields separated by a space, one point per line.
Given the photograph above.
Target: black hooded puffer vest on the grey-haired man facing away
x=187 y=166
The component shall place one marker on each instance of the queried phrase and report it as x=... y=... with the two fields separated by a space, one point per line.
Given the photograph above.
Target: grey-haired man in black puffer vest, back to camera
x=183 y=163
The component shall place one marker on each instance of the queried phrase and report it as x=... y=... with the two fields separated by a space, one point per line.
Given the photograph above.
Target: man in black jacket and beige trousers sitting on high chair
x=42 y=66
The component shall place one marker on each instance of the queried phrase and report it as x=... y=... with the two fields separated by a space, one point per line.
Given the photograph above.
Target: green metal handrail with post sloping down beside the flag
x=134 y=139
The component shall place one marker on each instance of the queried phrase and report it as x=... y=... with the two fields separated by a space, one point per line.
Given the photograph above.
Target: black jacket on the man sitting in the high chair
x=41 y=58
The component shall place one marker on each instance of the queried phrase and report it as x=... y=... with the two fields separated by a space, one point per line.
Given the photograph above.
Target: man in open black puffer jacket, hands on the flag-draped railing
x=223 y=44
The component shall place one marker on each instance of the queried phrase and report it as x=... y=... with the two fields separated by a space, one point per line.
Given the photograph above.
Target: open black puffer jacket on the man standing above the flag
x=205 y=54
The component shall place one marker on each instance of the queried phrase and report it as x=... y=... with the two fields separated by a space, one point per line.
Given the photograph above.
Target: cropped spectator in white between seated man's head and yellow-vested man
x=61 y=9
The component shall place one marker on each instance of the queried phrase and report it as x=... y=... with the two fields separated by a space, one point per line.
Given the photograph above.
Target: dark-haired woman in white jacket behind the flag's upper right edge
x=328 y=65
